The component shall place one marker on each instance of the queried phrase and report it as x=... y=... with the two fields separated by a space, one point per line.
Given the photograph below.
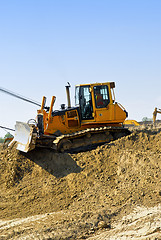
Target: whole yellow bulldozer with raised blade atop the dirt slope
x=96 y=119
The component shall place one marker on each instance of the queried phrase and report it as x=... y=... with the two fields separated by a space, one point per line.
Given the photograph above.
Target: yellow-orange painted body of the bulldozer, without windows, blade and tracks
x=69 y=122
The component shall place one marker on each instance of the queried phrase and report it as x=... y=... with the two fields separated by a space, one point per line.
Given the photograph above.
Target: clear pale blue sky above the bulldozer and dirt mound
x=46 y=43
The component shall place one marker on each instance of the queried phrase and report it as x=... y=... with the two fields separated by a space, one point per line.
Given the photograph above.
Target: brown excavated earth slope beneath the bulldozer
x=48 y=195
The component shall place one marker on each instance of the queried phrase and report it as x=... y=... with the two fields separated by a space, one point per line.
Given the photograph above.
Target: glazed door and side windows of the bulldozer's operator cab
x=90 y=97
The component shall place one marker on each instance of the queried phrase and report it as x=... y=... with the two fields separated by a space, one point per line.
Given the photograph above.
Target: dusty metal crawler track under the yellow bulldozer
x=89 y=137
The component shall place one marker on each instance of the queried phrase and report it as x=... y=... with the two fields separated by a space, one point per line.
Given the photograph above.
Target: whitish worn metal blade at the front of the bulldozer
x=25 y=137
